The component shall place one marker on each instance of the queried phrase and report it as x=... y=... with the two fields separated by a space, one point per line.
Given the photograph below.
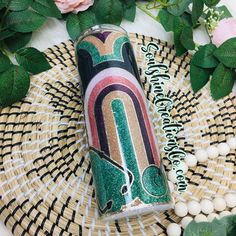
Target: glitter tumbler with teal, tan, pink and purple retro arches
x=128 y=174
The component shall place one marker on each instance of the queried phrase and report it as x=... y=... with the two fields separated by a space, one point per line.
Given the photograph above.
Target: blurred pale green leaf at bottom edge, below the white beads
x=205 y=229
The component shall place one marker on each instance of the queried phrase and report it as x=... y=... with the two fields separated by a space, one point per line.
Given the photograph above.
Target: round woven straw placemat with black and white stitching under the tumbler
x=46 y=184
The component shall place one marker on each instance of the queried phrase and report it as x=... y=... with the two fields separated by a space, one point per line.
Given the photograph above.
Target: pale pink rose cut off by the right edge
x=225 y=30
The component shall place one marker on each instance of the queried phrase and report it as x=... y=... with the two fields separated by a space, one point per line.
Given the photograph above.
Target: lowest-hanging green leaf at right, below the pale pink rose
x=222 y=81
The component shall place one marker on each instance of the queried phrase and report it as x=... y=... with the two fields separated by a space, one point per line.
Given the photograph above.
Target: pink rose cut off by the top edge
x=73 y=5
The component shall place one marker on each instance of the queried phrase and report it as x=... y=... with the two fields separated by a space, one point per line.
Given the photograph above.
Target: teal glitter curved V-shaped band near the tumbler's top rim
x=97 y=58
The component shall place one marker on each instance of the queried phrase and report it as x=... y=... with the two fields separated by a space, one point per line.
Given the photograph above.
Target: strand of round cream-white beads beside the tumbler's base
x=206 y=206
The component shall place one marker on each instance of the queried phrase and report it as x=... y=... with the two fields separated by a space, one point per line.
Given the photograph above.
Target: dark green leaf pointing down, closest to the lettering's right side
x=199 y=77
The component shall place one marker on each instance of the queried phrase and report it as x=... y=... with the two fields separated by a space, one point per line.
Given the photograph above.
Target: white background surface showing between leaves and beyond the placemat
x=54 y=32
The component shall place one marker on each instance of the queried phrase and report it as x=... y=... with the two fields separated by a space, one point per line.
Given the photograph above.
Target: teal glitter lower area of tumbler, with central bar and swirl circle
x=115 y=185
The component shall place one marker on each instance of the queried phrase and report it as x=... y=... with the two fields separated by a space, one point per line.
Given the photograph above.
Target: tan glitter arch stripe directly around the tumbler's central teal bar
x=133 y=123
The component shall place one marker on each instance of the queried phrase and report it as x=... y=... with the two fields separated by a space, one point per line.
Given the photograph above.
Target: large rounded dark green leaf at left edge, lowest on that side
x=14 y=85
